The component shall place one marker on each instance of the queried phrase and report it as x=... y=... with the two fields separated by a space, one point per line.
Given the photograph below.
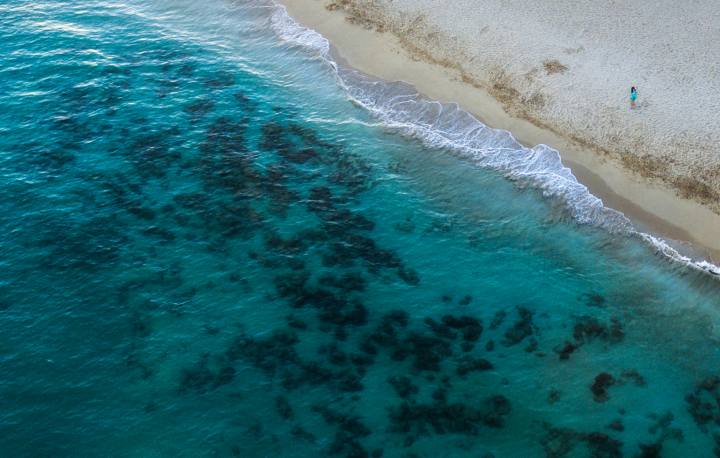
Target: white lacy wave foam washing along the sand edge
x=445 y=125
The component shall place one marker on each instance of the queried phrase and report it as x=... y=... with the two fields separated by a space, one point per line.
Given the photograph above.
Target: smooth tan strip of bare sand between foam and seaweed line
x=652 y=207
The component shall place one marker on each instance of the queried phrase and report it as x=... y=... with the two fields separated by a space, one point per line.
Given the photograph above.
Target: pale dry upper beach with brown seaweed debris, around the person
x=568 y=66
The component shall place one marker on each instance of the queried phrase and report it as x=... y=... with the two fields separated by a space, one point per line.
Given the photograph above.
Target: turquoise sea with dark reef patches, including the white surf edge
x=217 y=242
